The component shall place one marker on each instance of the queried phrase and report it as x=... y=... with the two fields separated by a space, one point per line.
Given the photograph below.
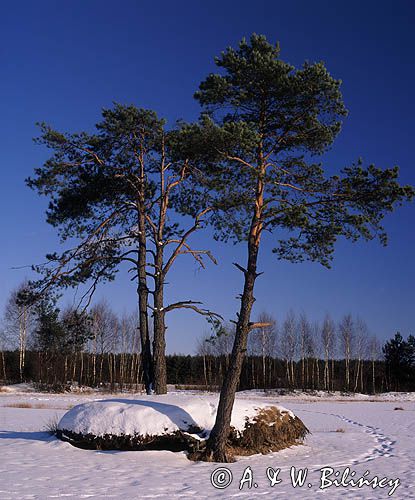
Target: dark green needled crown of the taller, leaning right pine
x=264 y=120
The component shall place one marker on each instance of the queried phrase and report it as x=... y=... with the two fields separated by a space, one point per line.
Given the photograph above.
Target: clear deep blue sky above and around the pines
x=61 y=62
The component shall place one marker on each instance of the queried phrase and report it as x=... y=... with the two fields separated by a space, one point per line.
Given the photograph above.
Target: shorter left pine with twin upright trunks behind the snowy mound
x=110 y=192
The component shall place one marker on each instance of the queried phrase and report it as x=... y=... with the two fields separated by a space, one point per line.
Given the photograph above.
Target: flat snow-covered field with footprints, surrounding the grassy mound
x=375 y=438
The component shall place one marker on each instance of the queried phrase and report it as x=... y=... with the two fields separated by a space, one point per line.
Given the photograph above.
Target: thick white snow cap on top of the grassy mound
x=155 y=415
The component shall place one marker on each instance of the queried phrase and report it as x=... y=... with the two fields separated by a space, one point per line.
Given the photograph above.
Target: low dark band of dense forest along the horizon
x=122 y=372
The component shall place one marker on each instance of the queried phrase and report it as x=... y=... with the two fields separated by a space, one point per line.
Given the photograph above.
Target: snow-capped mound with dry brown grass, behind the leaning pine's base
x=178 y=423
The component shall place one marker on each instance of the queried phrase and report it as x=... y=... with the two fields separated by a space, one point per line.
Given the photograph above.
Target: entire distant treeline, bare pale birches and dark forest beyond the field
x=57 y=349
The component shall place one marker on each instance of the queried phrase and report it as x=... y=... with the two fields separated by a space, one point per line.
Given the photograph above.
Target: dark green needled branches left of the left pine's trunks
x=93 y=181
